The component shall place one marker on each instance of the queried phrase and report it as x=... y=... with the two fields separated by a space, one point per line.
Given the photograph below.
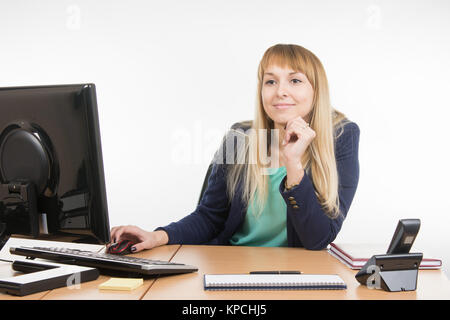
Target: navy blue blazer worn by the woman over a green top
x=217 y=217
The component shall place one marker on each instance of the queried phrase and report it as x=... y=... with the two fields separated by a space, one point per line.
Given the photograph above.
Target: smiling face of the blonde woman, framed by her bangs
x=286 y=94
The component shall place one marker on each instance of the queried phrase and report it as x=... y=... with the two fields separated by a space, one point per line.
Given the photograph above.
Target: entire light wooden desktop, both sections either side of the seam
x=432 y=284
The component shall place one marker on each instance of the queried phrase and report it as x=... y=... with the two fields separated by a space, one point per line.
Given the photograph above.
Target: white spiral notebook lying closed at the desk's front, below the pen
x=273 y=282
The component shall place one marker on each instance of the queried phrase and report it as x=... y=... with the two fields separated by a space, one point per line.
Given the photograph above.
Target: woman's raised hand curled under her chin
x=298 y=136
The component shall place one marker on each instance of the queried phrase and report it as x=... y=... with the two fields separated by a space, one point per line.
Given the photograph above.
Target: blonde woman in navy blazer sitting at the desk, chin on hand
x=296 y=172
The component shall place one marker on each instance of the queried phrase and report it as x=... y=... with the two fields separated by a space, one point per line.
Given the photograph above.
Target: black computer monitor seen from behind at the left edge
x=50 y=146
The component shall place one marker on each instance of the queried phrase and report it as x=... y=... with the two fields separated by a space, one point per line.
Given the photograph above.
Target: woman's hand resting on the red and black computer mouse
x=142 y=239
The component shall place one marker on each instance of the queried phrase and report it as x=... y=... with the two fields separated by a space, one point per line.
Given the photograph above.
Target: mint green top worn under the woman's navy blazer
x=269 y=228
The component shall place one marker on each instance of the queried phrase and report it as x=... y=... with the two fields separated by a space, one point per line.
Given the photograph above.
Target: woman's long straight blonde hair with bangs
x=320 y=155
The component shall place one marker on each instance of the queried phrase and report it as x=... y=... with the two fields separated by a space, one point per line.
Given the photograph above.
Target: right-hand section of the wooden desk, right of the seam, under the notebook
x=432 y=284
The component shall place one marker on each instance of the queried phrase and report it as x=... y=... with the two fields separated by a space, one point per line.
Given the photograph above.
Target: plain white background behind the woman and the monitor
x=172 y=76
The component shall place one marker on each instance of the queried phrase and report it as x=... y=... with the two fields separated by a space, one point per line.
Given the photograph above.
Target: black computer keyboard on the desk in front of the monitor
x=104 y=261
